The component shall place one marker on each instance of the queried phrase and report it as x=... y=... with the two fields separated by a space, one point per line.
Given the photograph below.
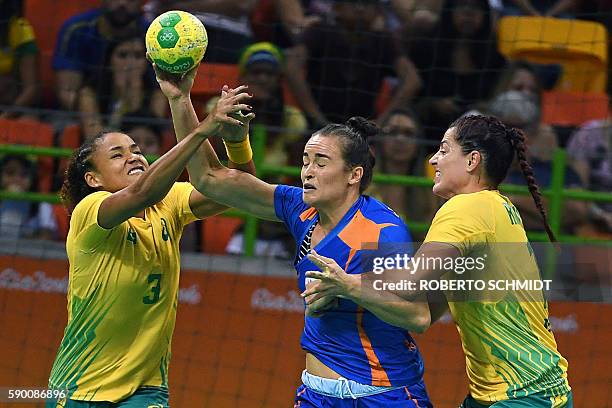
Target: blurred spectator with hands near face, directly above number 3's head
x=120 y=85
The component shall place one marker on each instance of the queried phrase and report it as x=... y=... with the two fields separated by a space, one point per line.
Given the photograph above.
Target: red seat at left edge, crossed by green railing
x=31 y=132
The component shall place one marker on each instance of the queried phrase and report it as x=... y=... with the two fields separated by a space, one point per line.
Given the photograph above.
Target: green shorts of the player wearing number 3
x=144 y=397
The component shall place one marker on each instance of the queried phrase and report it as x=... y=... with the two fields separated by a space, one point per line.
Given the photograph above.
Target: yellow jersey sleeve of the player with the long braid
x=461 y=222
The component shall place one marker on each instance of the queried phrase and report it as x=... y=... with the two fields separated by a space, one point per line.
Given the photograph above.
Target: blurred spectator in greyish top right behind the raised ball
x=226 y=21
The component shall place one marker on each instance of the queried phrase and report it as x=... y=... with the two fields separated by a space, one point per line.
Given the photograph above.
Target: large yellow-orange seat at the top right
x=580 y=47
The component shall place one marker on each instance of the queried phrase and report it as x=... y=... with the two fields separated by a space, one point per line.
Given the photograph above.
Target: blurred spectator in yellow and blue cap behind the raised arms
x=261 y=69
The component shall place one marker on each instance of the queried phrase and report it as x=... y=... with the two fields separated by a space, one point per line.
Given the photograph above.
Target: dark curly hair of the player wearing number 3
x=74 y=187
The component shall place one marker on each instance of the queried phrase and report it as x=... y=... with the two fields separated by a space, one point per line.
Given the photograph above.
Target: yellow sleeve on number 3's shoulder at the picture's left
x=84 y=223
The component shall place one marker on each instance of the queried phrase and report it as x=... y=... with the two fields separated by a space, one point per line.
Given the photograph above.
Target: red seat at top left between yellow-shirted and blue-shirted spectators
x=47 y=19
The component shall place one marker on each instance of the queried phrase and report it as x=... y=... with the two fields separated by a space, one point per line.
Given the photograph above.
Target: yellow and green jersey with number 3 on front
x=122 y=299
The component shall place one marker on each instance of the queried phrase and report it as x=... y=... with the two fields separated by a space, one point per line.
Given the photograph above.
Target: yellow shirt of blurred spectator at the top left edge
x=21 y=41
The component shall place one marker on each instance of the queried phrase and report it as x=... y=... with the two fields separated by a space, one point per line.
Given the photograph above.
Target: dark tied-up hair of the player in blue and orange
x=356 y=150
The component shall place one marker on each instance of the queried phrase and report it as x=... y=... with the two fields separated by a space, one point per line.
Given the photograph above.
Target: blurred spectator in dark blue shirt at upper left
x=83 y=40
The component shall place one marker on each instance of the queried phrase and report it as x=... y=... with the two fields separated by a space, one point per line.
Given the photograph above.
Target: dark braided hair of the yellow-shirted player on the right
x=498 y=145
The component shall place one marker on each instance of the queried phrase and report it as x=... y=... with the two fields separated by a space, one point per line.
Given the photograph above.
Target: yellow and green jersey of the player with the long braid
x=509 y=348
